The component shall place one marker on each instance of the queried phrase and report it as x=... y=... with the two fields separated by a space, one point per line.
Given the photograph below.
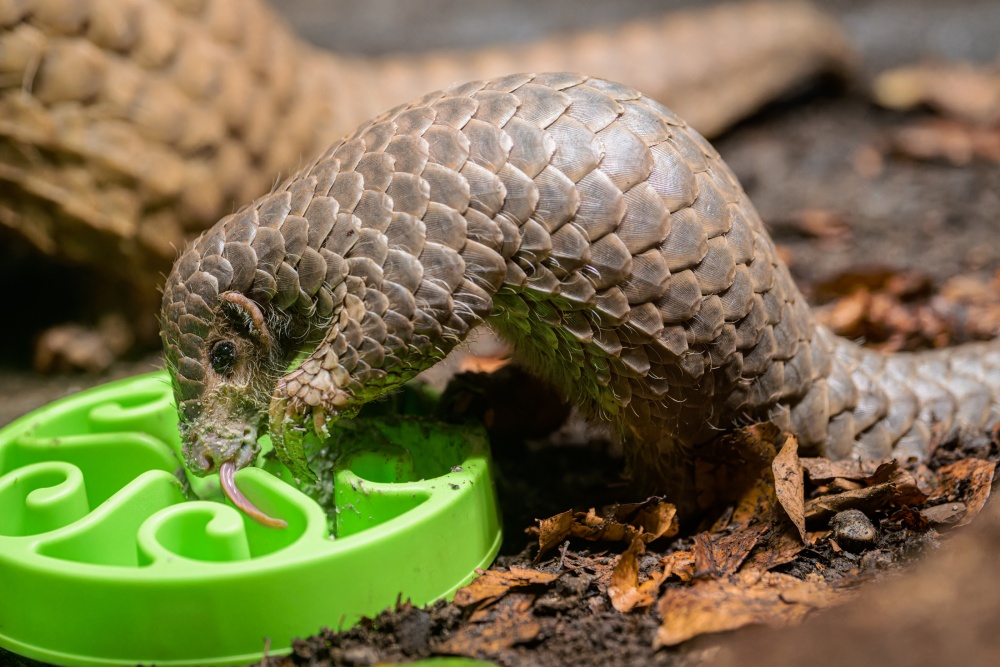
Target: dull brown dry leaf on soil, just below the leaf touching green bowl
x=510 y=623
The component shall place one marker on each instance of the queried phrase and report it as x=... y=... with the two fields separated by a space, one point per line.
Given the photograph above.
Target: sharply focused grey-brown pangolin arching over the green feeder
x=591 y=228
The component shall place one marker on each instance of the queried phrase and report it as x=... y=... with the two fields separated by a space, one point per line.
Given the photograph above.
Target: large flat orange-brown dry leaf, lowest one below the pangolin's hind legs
x=720 y=605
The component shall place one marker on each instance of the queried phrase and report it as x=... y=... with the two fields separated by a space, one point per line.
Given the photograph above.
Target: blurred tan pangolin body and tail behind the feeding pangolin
x=127 y=126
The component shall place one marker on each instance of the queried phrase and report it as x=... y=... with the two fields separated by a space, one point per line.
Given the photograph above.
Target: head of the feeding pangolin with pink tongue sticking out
x=222 y=359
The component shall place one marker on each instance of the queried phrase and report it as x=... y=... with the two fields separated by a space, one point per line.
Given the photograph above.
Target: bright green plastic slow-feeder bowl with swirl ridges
x=105 y=561
